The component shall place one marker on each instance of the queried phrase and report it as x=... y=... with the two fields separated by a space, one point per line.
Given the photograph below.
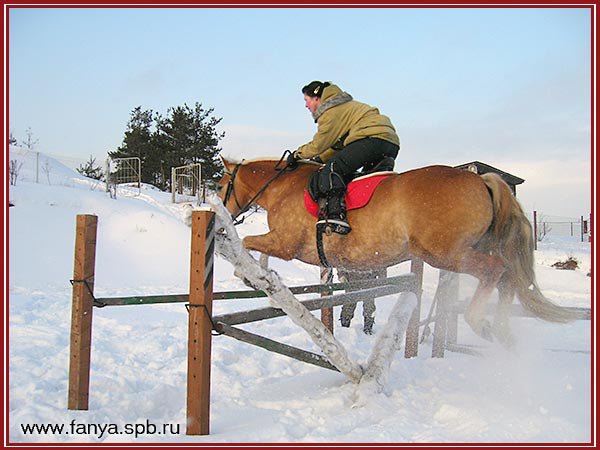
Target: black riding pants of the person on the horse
x=332 y=179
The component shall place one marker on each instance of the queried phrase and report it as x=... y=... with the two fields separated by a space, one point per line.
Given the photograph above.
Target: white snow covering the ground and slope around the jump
x=539 y=392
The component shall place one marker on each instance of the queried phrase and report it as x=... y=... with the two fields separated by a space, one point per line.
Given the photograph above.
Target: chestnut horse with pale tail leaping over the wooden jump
x=453 y=219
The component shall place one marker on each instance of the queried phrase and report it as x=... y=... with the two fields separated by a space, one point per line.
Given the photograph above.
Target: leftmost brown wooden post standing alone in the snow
x=81 y=312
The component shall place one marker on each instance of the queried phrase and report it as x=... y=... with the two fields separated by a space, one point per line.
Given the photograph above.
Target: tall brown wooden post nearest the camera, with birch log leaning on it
x=200 y=326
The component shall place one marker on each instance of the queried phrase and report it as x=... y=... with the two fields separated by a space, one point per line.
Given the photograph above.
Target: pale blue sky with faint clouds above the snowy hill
x=510 y=87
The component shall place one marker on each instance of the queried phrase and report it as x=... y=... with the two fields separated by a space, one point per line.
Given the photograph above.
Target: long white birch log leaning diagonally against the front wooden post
x=229 y=245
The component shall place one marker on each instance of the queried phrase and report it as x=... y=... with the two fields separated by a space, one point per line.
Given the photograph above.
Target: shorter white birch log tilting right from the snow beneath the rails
x=389 y=340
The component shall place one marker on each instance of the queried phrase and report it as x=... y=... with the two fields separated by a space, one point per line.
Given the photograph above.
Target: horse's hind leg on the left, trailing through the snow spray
x=487 y=269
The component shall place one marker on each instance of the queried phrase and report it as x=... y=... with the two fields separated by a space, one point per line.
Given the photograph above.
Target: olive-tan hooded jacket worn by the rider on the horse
x=341 y=121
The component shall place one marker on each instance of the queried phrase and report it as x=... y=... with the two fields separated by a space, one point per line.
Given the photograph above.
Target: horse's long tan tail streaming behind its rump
x=511 y=237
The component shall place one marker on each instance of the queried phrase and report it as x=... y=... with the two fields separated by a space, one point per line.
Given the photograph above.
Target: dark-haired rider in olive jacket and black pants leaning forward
x=350 y=135
